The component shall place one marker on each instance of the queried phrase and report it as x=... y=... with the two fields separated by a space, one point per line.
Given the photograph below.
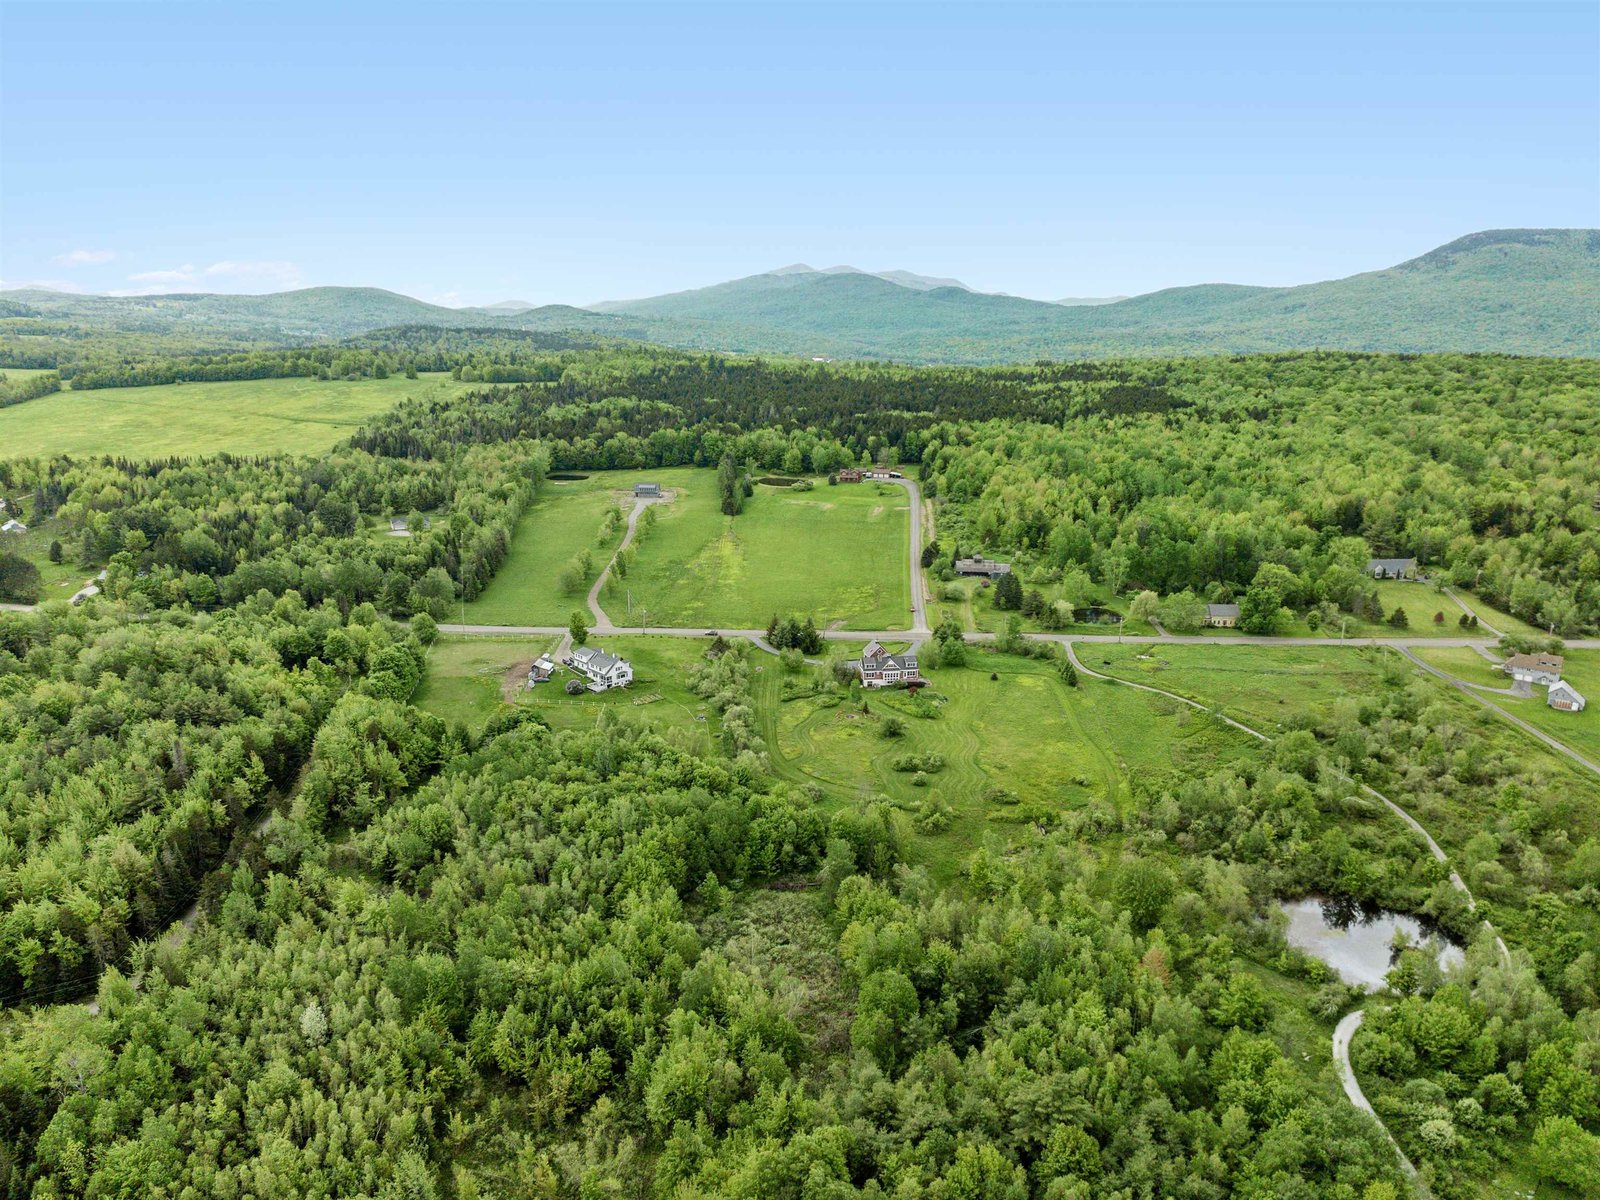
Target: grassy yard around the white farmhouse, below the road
x=468 y=679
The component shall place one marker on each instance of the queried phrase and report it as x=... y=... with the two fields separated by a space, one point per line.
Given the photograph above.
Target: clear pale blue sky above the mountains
x=474 y=153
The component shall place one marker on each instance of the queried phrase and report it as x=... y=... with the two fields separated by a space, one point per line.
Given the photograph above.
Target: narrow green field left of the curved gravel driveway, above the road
x=562 y=522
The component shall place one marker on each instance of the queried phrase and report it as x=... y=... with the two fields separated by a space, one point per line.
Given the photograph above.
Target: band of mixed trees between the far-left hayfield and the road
x=217 y=532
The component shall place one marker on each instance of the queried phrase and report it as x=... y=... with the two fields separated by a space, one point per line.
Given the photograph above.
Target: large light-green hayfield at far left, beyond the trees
x=249 y=417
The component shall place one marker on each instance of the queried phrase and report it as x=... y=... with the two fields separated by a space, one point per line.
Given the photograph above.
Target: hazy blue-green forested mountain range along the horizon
x=1511 y=290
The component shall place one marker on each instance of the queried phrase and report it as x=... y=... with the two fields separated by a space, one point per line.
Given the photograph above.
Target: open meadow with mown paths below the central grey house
x=1017 y=750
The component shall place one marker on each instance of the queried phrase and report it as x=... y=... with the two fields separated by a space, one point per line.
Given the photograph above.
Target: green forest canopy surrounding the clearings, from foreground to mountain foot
x=270 y=929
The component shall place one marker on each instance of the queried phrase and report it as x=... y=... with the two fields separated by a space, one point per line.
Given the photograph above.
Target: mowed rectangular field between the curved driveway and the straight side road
x=838 y=554
